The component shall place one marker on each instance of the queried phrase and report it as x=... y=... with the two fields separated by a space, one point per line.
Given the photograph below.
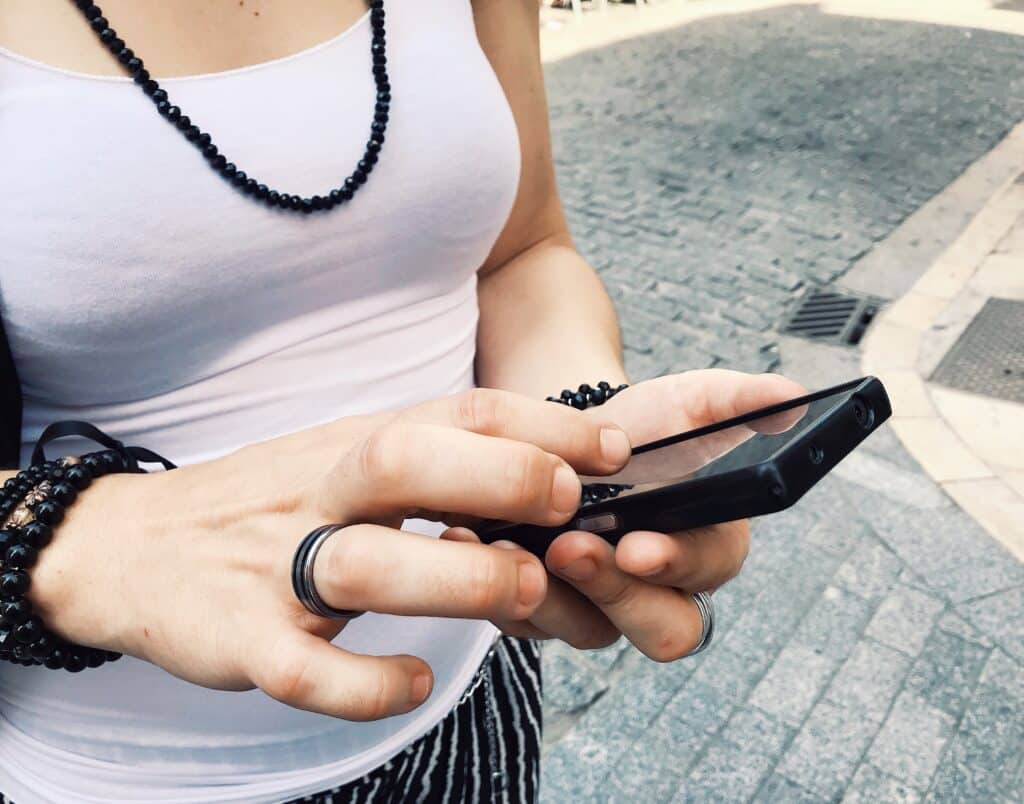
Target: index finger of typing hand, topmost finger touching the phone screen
x=587 y=444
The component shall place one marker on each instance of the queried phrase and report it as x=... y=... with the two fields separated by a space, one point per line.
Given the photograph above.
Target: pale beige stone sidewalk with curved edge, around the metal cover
x=963 y=420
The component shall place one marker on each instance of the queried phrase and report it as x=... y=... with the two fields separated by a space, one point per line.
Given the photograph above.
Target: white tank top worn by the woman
x=144 y=294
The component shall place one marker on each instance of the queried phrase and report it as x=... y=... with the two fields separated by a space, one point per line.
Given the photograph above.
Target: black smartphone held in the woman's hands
x=754 y=464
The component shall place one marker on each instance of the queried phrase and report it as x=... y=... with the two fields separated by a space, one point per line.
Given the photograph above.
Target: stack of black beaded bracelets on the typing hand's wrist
x=29 y=520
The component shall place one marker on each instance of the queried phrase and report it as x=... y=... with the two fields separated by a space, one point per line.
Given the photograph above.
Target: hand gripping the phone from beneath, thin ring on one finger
x=644 y=587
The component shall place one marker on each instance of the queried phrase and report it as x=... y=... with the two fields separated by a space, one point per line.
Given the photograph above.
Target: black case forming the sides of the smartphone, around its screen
x=771 y=486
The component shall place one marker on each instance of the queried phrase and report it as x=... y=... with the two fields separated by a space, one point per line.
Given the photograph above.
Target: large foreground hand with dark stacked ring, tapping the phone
x=191 y=570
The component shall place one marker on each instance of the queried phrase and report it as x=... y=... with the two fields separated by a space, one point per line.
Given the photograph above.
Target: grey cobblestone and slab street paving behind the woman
x=873 y=650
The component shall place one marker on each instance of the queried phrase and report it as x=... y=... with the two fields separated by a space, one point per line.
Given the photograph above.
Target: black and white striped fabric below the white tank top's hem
x=486 y=751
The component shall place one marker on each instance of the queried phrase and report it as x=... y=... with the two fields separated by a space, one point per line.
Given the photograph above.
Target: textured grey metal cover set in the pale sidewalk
x=989 y=359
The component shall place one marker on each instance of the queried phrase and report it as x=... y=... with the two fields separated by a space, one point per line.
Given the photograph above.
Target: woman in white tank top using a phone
x=313 y=369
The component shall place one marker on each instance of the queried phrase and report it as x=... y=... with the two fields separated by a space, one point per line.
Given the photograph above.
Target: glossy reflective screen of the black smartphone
x=744 y=441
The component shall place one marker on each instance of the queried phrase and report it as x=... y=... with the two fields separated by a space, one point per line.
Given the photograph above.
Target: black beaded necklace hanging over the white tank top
x=219 y=161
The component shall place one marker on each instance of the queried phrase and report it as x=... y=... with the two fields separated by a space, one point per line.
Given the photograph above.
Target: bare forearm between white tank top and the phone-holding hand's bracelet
x=546 y=324
